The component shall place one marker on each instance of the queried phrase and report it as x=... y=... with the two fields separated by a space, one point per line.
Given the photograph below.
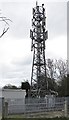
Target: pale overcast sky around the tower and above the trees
x=15 y=45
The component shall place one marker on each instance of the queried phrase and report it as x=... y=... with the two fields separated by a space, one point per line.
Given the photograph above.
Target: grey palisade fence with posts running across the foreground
x=35 y=105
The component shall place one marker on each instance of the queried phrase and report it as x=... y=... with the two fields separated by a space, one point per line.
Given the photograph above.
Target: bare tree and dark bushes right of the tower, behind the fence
x=57 y=76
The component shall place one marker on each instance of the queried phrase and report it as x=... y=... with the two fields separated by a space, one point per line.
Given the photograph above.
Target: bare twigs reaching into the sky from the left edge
x=6 y=24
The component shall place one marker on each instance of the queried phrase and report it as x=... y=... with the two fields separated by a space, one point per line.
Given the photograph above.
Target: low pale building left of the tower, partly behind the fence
x=15 y=99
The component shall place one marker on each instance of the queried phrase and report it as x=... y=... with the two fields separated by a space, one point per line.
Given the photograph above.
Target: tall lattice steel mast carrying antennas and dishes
x=38 y=35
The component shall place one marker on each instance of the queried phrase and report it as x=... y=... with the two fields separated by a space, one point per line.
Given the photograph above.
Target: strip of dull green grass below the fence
x=43 y=116
